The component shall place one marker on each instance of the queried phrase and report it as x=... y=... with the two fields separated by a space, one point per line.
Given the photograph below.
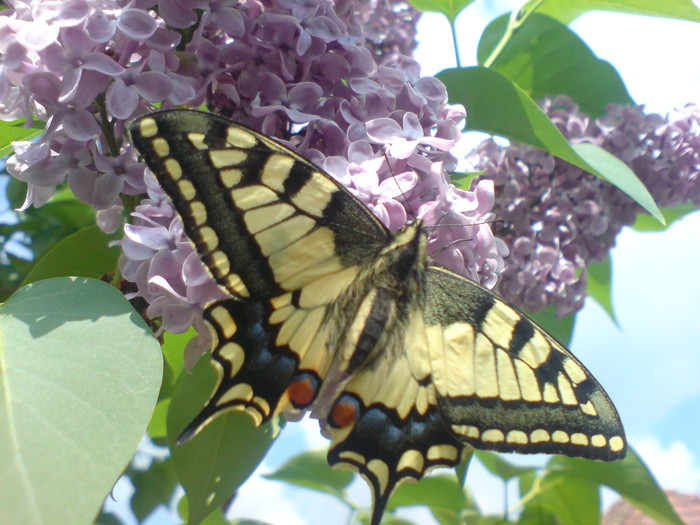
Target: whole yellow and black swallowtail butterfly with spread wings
x=406 y=364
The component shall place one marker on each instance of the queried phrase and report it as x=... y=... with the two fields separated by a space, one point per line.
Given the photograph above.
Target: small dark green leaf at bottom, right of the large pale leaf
x=152 y=487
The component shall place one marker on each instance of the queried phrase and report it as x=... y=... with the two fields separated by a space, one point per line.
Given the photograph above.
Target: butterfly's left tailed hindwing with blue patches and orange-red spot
x=268 y=355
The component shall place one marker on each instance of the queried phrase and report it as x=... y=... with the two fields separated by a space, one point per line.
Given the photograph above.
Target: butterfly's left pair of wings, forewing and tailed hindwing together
x=275 y=232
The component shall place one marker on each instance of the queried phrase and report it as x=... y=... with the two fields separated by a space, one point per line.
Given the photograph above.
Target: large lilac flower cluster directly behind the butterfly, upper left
x=299 y=70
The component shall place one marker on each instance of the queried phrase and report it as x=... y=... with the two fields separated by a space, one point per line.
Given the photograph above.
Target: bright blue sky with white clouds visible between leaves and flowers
x=650 y=365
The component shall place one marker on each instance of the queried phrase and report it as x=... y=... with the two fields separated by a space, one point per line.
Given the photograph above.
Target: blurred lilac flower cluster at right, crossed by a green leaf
x=555 y=218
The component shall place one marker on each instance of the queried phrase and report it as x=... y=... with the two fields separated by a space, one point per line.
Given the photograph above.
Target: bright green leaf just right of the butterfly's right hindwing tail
x=442 y=494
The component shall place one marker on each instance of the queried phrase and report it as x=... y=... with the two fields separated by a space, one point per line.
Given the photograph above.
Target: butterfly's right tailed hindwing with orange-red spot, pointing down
x=386 y=424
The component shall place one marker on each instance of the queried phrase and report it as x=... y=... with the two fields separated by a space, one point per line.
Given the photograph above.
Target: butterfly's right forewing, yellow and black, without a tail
x=504 y=384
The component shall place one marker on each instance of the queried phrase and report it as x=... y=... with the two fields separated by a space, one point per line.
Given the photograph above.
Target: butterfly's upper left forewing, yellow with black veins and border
x=263 y=219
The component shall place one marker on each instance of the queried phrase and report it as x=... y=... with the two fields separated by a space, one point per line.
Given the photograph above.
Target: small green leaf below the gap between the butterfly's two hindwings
x=311 y=470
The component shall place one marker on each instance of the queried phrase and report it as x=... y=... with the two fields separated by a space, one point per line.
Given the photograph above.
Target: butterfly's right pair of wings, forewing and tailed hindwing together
x=465 y=368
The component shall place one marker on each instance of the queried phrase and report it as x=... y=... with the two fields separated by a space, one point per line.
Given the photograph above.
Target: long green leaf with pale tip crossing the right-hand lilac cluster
x=495 y=105
